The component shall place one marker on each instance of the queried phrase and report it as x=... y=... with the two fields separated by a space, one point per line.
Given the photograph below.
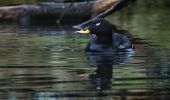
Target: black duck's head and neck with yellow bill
x=101 y=28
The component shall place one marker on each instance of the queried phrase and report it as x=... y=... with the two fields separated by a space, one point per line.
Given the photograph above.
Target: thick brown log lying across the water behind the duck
x=57 y=11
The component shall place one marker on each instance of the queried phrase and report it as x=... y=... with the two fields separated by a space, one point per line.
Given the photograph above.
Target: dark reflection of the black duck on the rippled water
x=101 y=78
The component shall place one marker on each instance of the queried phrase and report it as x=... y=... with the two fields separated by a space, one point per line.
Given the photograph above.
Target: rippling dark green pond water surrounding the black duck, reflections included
x=48 y=63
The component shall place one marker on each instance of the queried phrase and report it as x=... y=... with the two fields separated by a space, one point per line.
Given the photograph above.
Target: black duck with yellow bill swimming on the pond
x=106 y=37
